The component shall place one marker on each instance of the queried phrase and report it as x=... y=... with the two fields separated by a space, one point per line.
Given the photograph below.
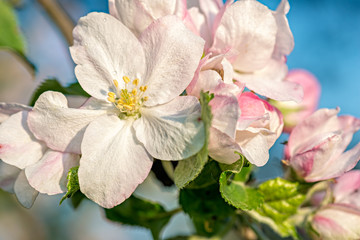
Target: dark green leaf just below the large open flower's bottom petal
x=138 y=212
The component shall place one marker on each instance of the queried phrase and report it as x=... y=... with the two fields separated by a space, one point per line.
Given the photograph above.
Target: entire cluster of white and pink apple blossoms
x=145 y=65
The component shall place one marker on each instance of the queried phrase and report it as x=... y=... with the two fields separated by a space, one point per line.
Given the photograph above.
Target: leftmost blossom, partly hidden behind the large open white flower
x=28 y=166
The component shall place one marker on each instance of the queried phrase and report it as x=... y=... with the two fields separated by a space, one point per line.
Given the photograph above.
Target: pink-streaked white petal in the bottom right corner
x=337 y=222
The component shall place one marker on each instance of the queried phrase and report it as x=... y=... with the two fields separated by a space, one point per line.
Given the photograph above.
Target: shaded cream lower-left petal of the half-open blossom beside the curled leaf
x=222 y=147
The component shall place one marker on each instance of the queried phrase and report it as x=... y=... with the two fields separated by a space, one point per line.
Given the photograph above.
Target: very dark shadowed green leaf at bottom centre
x=208 y=211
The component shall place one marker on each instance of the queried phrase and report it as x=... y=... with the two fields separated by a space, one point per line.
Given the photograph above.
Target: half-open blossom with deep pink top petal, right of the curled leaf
x=256 y=128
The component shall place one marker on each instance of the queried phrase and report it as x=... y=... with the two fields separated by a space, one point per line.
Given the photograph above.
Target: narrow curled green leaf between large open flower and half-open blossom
x=188 y=169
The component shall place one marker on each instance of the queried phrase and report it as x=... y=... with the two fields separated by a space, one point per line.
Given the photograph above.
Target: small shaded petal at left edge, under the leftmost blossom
x=8 y=176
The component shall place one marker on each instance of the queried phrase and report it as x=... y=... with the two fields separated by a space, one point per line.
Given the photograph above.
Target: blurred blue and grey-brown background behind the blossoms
x=327 y=43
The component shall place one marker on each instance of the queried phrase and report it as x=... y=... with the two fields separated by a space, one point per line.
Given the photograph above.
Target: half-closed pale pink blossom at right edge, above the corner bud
x=316 y=146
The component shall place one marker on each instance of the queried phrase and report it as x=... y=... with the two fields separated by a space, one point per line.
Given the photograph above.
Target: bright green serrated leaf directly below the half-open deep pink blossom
x=233 y=188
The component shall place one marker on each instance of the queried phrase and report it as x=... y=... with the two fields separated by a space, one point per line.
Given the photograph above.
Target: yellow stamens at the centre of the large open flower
x=128 y=102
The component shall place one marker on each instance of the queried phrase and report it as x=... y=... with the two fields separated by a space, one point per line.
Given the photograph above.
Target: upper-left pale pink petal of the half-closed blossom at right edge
x=319 y=123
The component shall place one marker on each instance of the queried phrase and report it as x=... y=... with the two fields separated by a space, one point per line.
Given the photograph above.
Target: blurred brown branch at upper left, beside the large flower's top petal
x=62 y=20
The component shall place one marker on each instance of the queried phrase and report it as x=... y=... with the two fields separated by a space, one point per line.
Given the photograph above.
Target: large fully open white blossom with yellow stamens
x=137 y=112
